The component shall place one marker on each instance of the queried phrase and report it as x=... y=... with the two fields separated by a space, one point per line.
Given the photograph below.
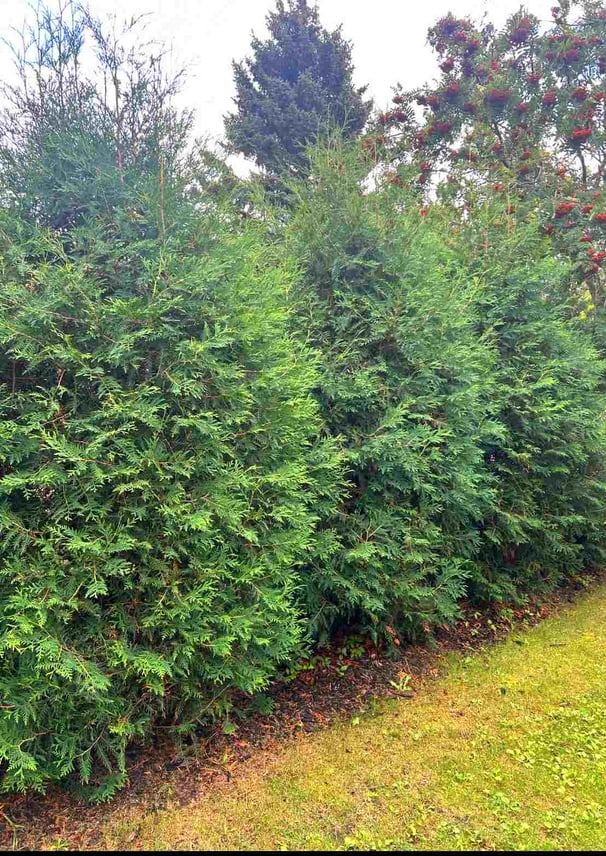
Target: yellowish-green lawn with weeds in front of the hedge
x=504 y=750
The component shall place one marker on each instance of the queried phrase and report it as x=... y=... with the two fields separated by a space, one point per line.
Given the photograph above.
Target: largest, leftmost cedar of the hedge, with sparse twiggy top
x=156 y=450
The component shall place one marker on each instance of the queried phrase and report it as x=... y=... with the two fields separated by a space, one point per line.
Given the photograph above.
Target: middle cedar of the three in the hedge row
x=405 y=387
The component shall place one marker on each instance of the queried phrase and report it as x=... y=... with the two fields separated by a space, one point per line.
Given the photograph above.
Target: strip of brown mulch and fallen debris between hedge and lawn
x=317 y=697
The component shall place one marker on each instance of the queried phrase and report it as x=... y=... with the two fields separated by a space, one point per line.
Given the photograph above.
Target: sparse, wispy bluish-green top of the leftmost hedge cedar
x=88 y=124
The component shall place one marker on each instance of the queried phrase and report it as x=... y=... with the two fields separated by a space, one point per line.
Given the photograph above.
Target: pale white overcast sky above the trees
x=388 y=39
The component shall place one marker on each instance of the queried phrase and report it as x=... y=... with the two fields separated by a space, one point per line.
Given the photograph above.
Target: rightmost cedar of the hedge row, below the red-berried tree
x=548 y=520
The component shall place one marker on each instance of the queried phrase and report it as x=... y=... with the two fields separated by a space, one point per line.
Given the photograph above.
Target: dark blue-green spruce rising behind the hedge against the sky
x=297 y=85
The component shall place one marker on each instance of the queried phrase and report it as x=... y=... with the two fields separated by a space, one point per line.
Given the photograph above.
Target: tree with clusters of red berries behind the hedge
x=519 y=112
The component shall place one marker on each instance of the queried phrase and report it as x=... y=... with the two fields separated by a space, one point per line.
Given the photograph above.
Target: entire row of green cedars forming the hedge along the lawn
x=227 y=432
